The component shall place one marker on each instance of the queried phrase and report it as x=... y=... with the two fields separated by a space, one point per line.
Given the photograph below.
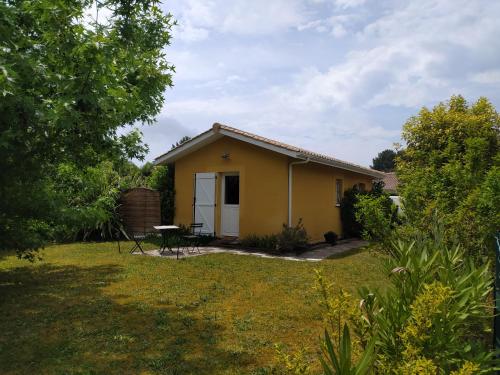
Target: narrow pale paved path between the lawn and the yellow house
x=314 y=255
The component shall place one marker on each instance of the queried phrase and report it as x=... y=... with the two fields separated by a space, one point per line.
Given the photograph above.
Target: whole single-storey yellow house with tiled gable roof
x=237 y=183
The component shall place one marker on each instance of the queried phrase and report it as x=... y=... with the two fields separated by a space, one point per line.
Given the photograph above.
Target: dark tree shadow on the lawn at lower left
x=57 y=319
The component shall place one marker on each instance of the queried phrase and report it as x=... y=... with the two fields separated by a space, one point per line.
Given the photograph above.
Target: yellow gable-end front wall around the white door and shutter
x=263 y=184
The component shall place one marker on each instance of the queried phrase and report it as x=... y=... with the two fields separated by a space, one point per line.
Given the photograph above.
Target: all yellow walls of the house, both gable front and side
x=264 y=188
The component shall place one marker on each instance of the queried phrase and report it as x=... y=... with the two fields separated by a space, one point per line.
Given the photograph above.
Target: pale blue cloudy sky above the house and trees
x=339 y=77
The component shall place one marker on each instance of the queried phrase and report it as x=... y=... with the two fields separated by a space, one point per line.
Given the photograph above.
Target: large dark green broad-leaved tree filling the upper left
x=68 y=84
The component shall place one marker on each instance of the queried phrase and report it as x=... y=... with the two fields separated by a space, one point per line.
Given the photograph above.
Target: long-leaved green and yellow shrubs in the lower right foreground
x=434 y=319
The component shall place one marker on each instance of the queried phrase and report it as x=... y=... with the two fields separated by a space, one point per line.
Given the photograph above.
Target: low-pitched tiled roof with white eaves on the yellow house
x=218 y=131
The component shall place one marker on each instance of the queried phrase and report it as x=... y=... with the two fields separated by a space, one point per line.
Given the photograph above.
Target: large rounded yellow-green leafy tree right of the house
x=451 y=167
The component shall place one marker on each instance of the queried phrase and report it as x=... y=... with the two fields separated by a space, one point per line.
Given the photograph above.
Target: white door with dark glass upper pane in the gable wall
x=230 y=208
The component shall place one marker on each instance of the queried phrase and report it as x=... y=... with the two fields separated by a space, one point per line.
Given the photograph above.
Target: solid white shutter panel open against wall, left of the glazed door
x=204 y=201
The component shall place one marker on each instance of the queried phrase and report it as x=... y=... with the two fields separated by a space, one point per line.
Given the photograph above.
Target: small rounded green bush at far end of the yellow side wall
x=377 y=215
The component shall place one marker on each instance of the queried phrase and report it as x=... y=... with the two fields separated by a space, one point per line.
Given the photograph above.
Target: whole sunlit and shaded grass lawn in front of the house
x=86 y=309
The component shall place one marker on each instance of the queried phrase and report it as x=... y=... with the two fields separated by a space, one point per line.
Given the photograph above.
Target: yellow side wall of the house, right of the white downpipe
x=314 y=197
